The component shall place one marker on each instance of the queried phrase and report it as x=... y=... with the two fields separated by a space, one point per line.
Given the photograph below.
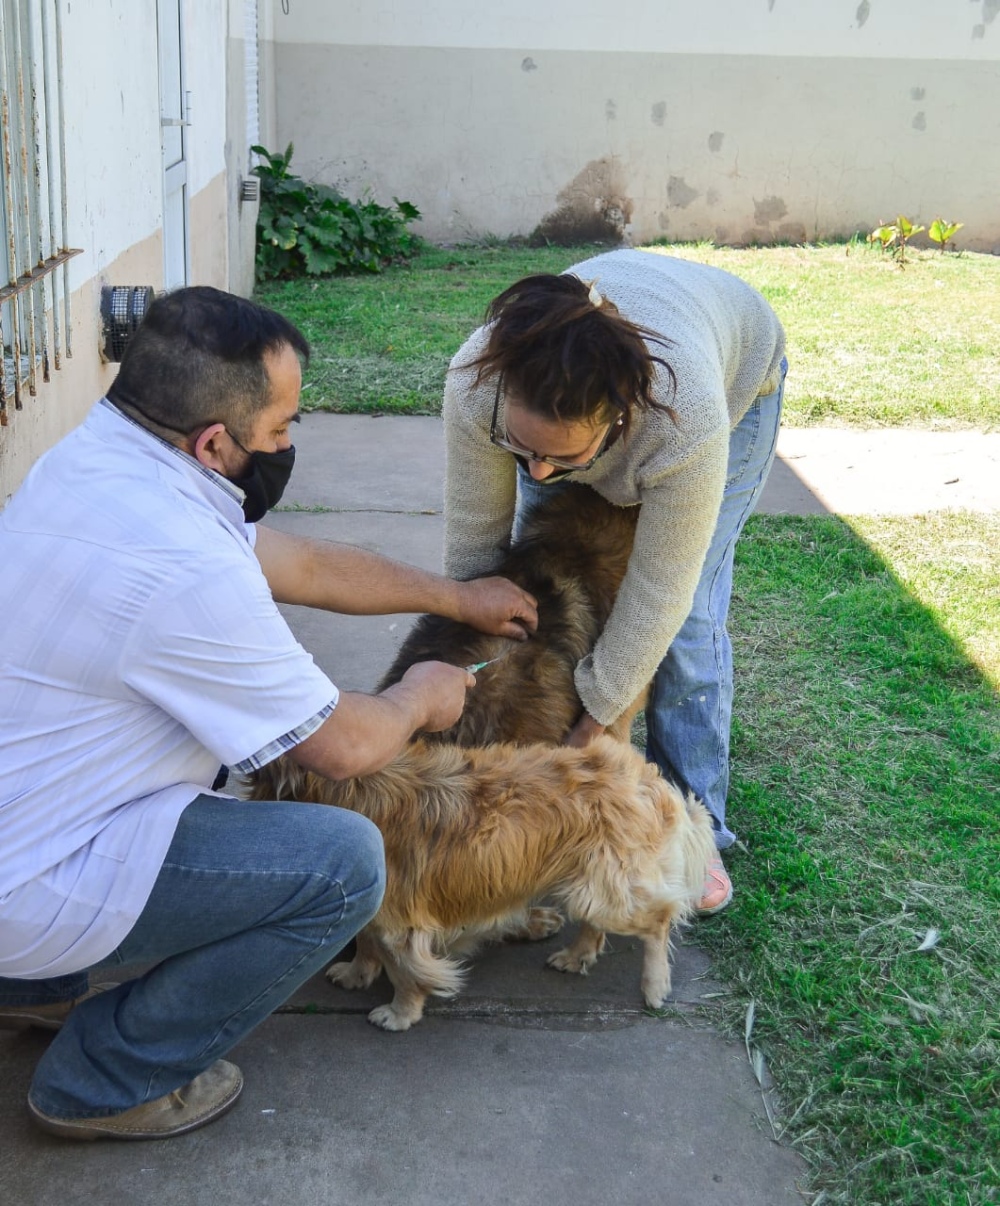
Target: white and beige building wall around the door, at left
x=115 y=190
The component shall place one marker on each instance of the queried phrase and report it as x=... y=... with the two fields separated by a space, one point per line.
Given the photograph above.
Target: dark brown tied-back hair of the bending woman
x=566 y=354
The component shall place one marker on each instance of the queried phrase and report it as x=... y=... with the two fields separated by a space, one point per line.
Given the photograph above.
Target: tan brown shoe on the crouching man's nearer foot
x=208 y=1097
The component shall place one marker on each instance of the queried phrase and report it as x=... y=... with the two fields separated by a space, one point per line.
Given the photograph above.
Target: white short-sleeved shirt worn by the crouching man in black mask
x=142 y=649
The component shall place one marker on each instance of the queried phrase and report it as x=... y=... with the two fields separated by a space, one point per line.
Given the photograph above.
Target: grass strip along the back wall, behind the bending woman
x=870 y=344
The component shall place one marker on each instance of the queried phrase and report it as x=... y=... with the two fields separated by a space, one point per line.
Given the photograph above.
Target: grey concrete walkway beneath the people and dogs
x=531 y=1088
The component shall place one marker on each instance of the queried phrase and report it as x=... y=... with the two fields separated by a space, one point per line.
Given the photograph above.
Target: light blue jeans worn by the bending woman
x=689 y=715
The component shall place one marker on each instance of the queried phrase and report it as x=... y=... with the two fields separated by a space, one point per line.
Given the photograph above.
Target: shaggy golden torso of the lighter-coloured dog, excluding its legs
x=472 y=834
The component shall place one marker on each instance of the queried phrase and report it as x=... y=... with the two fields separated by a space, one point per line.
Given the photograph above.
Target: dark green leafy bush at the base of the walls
x=303 y=227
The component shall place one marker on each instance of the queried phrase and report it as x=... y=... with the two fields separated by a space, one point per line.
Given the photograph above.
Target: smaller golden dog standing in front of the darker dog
x=473 y=836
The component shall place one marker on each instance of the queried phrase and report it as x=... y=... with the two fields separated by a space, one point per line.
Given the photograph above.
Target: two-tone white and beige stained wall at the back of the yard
x=746 y=120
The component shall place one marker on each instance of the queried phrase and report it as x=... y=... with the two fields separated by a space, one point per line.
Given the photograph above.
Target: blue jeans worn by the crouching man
x=252 y=901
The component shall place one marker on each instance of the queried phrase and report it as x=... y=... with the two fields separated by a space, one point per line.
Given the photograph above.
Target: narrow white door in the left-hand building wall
x=173 y=121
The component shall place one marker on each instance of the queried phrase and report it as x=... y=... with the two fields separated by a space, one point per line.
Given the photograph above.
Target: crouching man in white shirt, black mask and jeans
x=144 y=648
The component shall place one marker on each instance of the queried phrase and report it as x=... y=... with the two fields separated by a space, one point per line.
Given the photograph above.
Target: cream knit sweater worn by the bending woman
x=727 y=348
